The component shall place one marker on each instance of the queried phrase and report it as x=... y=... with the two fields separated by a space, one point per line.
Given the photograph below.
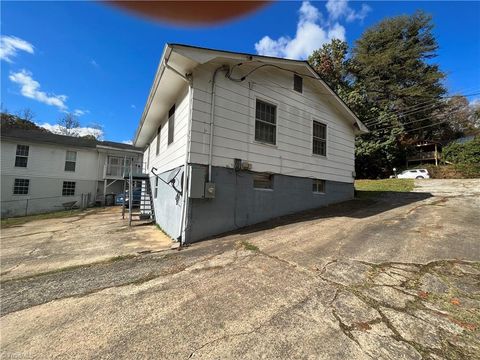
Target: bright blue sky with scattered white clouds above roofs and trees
x=99 y=61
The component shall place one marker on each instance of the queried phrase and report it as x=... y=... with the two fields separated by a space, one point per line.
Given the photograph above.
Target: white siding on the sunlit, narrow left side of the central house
x=173 y=155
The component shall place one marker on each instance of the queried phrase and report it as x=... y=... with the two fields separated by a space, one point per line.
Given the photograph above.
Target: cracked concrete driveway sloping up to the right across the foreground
x=392 y=277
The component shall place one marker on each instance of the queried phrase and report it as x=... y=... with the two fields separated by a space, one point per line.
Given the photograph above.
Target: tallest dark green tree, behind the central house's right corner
x=398 y=90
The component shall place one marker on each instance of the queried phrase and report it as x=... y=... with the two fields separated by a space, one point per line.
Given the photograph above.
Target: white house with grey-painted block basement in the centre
x=259 y=137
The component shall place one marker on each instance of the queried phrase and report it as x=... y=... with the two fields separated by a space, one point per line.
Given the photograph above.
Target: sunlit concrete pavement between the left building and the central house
x=94 y=235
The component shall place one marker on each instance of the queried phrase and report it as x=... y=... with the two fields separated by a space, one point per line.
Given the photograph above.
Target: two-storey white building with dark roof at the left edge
x=40 y=171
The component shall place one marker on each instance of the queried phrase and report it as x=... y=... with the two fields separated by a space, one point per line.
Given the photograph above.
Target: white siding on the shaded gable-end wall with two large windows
x=234 y=132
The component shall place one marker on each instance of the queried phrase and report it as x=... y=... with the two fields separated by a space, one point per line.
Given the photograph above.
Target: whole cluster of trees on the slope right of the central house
x=389 y=79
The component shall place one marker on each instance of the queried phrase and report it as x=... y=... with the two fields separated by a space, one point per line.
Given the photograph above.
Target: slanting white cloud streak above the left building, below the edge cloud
x=31 y=89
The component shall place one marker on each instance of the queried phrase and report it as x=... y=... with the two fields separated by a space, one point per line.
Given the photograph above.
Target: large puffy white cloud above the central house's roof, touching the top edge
x=312 y=30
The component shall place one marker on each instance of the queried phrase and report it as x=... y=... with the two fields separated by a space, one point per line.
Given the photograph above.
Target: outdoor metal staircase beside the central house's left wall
x=138 y=199
